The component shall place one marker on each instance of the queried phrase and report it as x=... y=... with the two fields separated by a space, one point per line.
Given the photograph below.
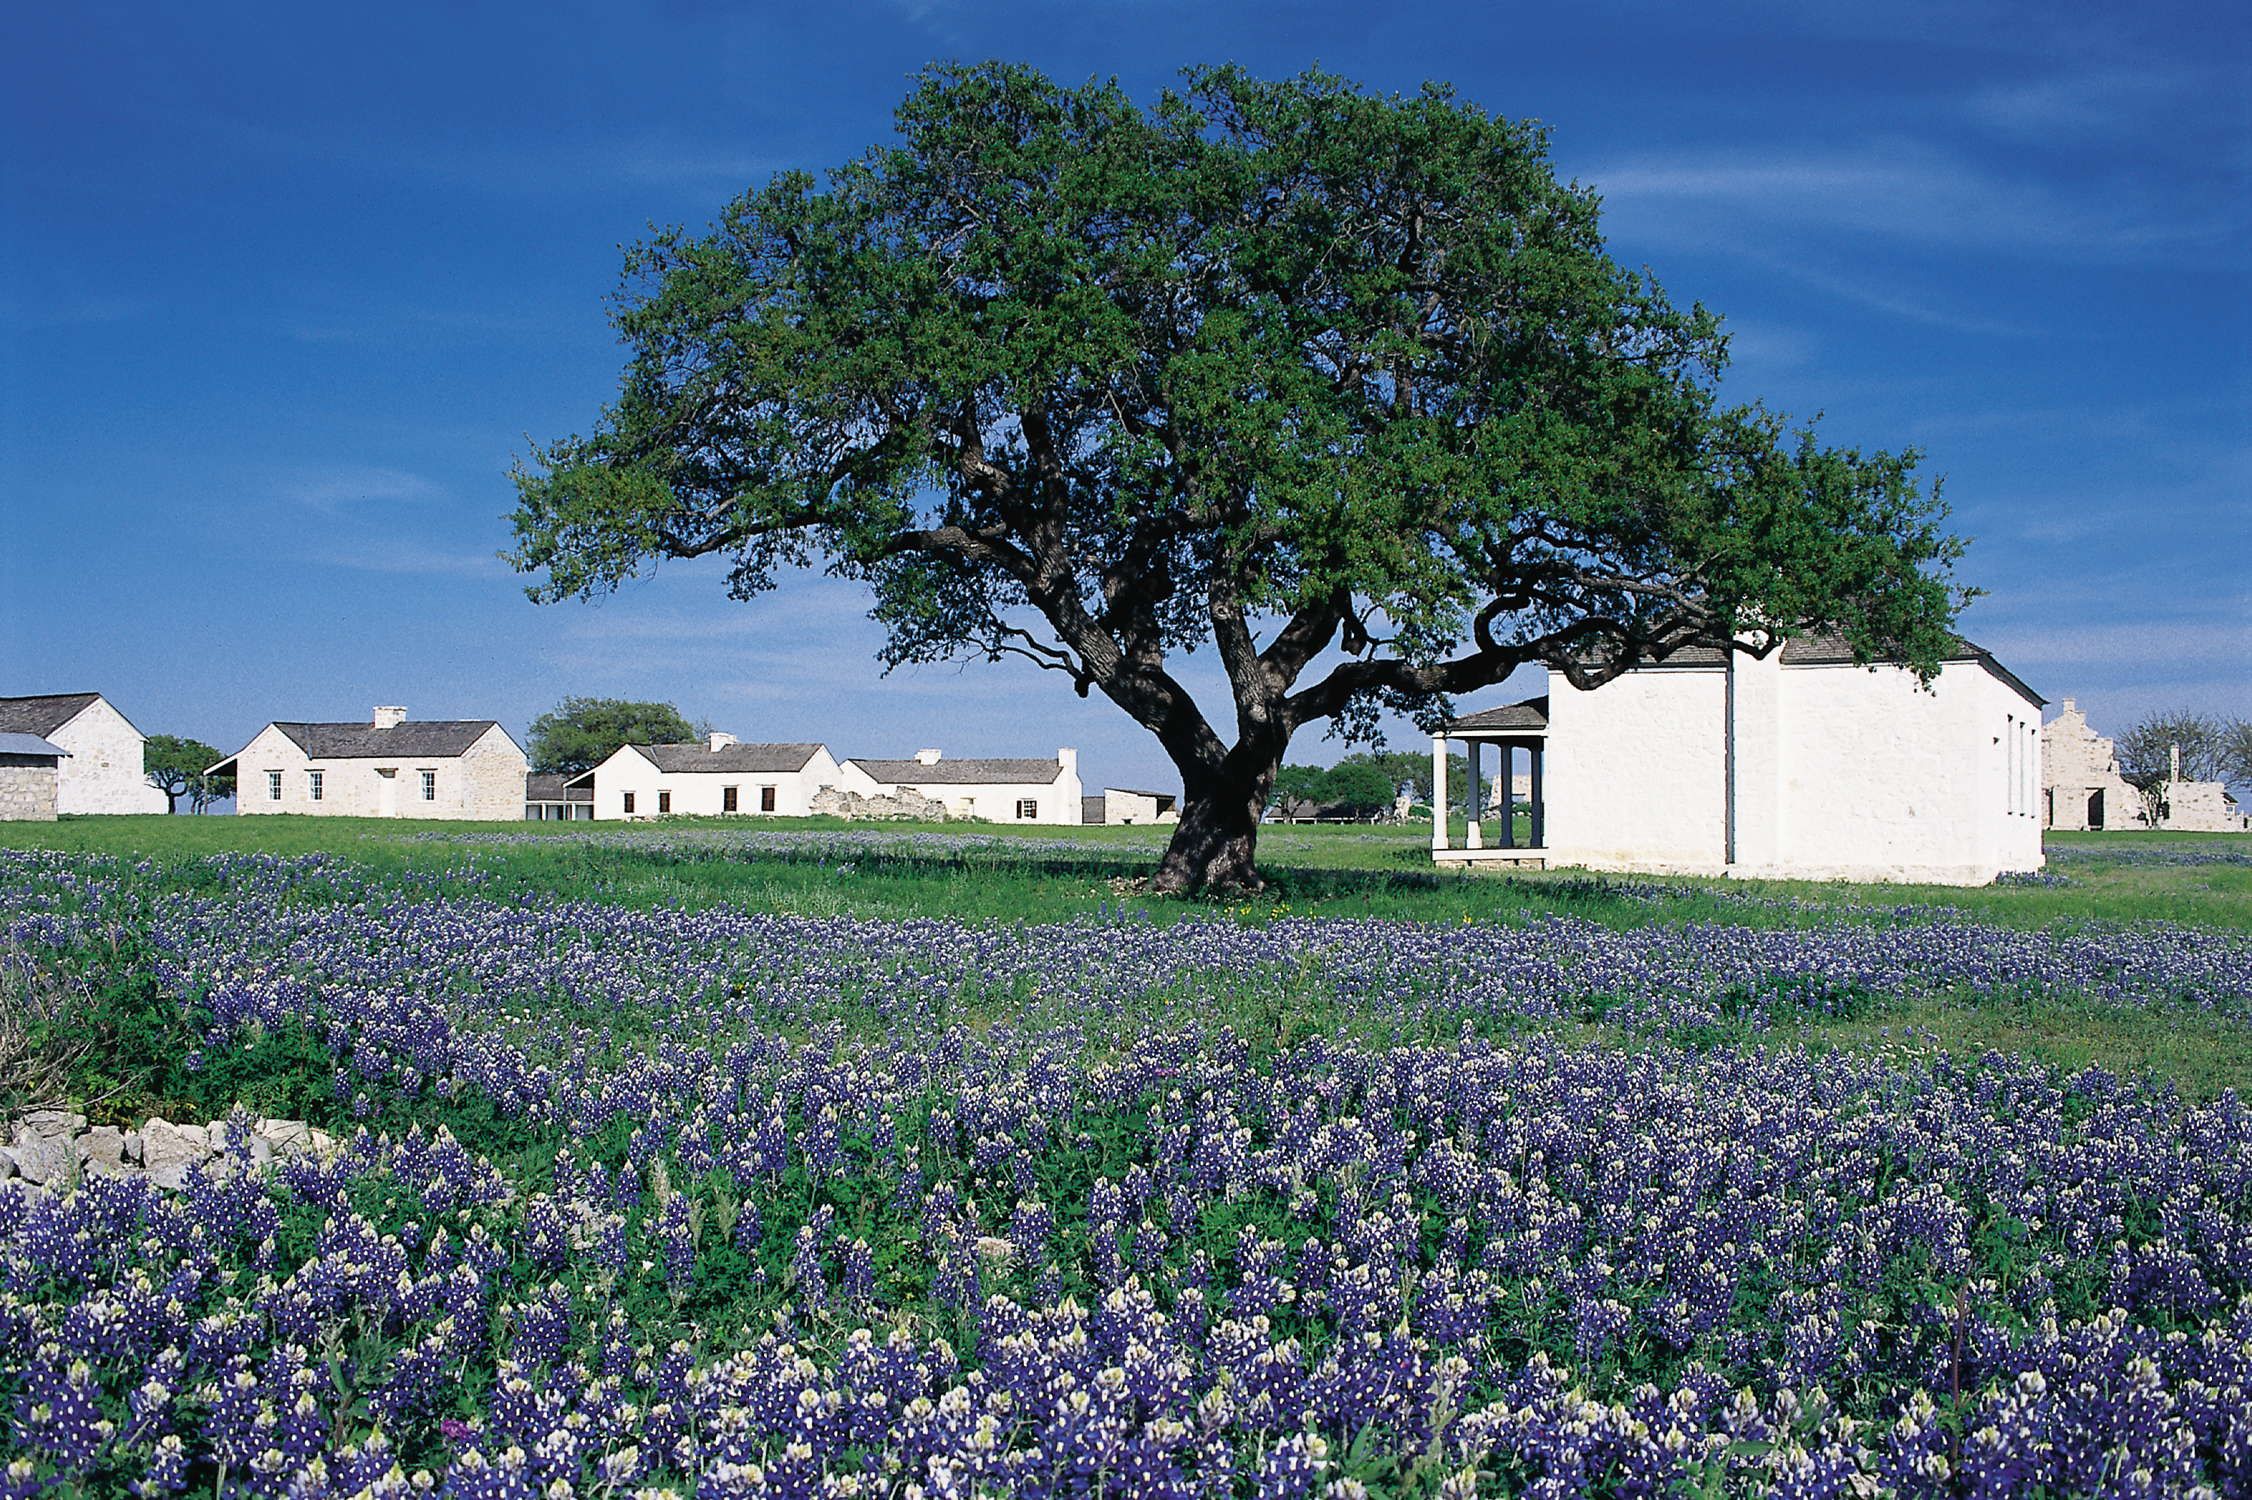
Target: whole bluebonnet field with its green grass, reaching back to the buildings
x=695 y=1168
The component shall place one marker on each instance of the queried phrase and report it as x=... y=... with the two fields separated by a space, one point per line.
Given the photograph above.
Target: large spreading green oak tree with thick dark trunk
x=1337 y=386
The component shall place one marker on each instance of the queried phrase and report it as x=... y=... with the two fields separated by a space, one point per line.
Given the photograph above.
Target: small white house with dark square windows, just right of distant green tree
x=717 y=776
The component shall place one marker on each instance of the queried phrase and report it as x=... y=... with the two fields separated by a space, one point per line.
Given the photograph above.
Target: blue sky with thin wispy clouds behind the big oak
x=285 y=289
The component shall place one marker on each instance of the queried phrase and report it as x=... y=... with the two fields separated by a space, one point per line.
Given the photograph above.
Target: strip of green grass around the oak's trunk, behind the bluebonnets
x=1017 y=875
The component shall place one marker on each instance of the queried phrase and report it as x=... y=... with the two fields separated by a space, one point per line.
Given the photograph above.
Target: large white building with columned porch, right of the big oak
x=1794 y=767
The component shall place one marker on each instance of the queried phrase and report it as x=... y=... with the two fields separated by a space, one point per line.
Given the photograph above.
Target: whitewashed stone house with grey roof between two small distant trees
x=391 y=767
